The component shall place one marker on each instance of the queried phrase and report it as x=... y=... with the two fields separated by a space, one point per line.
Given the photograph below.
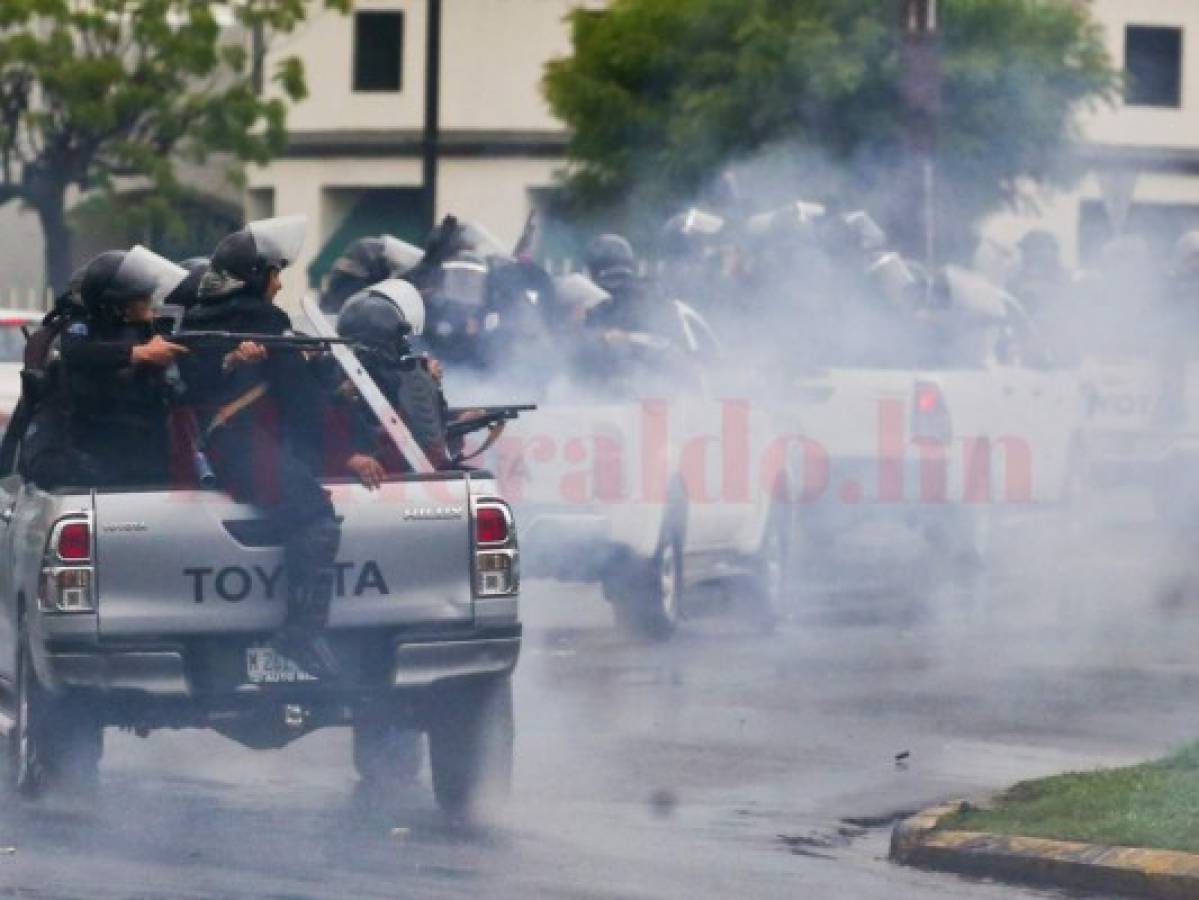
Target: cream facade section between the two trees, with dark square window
x=353 y=164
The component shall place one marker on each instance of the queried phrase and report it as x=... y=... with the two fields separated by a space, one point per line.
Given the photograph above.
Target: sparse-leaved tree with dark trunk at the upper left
x=101 y=94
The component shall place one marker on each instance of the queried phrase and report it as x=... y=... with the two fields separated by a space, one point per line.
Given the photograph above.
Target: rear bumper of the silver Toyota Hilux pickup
x=214 y=673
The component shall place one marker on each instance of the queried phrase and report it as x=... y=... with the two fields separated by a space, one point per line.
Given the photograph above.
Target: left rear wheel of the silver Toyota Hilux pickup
x=55 y=741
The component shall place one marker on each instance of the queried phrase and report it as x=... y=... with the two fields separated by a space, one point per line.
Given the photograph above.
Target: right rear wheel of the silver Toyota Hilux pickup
x=472 y=736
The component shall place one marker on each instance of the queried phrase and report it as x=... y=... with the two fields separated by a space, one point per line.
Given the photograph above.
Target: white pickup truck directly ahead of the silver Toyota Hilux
x=654 y=488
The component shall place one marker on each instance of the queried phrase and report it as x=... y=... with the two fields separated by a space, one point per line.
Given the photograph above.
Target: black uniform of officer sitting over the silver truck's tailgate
x=270 y=454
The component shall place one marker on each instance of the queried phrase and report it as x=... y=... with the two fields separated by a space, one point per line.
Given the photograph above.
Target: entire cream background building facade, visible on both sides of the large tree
x=353 y=165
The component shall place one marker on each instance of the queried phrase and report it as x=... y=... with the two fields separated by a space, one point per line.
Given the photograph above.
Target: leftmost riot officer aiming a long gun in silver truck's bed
x=107 y=425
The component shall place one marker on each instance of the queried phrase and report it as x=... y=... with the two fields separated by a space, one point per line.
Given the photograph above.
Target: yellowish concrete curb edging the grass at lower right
x=1053 y=863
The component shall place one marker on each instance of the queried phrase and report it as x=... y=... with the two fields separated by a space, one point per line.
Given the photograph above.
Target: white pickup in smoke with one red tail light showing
x=941 y=428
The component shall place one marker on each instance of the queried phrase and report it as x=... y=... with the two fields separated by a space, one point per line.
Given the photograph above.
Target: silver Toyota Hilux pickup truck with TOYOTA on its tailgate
x=152 y=608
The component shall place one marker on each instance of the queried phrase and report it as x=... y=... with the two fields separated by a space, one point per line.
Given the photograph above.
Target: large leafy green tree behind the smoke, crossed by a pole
x=805 y=98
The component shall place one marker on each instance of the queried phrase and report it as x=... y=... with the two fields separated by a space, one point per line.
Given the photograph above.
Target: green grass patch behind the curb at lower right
x=1152 y=806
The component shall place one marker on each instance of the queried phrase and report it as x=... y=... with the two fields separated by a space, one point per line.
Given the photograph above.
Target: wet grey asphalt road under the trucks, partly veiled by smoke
x=725 y=764
